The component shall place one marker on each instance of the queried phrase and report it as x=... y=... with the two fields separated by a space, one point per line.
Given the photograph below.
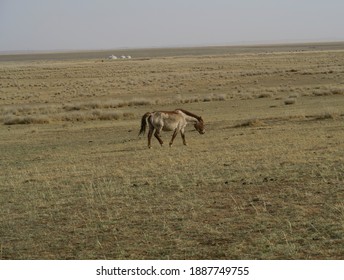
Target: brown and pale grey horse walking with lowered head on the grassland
x=175 y=121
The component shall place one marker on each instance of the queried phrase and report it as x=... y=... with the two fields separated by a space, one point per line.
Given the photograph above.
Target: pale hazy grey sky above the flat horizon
x=106 y=24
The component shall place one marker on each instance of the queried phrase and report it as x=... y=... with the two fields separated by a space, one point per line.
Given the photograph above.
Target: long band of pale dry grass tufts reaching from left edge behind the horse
x=88 y=110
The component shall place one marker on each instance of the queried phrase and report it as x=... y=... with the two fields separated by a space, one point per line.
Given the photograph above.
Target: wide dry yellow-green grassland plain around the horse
x=266 y=181
